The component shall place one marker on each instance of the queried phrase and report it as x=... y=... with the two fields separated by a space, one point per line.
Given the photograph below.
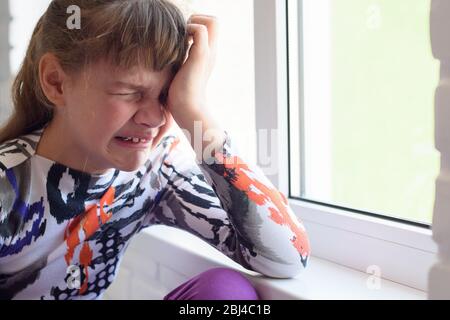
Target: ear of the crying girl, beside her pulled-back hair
x=52 y=77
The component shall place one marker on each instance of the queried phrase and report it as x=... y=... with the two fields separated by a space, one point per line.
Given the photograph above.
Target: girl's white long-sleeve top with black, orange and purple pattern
x=63 y=232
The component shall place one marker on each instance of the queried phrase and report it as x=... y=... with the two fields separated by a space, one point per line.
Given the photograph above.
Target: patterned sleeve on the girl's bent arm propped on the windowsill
x=232 y=206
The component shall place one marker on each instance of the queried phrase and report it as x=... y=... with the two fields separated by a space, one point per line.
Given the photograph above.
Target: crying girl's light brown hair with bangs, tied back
x=151 y=33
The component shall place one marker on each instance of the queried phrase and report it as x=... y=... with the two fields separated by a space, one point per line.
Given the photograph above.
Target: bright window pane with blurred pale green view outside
x=362 y=112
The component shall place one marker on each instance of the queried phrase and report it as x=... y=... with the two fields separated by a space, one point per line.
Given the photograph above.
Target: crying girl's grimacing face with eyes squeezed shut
x=104 y=103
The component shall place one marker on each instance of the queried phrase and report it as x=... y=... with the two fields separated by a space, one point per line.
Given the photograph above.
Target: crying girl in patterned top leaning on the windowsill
x=87 y=160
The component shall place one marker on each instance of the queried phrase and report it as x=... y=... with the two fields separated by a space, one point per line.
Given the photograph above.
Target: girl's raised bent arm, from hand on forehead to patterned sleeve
x=223 y=200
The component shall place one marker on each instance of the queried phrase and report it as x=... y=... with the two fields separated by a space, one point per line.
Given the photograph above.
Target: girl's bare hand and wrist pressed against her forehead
x=187 y=92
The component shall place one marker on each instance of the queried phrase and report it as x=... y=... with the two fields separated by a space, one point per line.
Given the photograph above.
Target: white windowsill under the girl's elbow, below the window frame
x=322 y=279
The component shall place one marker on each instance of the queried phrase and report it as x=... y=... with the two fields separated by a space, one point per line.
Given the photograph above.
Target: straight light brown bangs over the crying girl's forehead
x=141 y=32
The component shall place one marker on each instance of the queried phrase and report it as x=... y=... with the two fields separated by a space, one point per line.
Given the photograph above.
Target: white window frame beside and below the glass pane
x=400 y=252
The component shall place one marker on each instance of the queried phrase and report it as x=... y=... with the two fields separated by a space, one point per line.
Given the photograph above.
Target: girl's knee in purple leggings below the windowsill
x=215 y=284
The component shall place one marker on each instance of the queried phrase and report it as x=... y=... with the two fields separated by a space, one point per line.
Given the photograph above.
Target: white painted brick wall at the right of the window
x=439 y=277
